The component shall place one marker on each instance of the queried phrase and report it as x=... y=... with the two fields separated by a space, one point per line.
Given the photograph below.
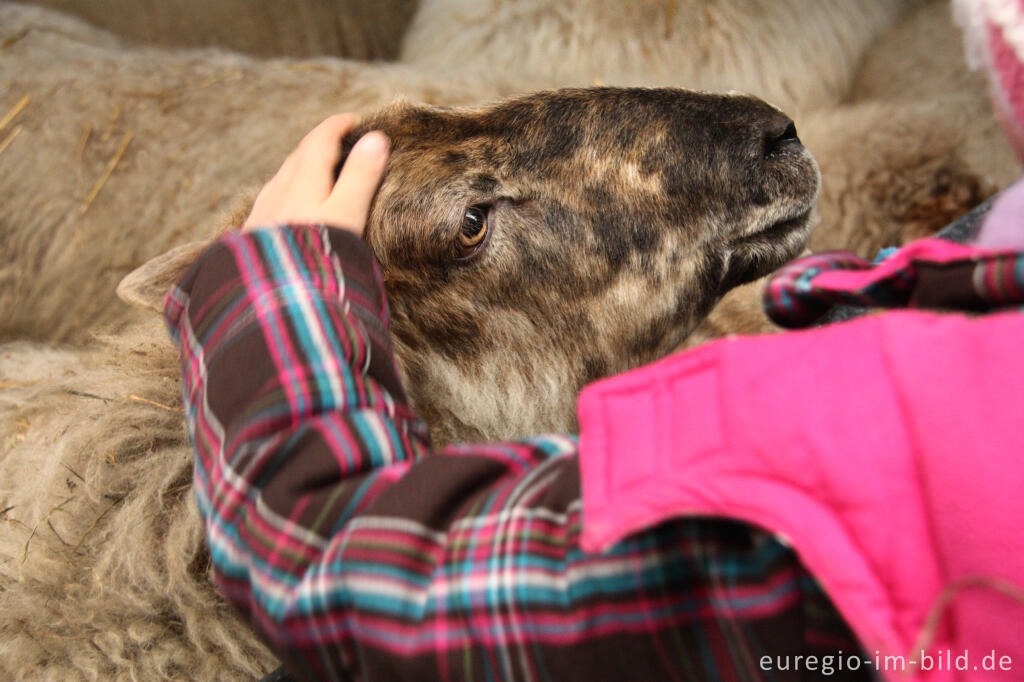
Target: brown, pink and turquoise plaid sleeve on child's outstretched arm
x=360 y=556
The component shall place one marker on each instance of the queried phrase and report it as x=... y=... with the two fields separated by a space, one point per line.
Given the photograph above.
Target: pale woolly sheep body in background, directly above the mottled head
x=798 y=55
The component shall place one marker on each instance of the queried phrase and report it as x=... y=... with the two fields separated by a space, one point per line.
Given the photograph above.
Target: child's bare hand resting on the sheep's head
x=305 y=192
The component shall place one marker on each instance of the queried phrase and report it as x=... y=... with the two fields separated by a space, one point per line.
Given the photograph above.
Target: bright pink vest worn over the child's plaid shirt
x=888 y=452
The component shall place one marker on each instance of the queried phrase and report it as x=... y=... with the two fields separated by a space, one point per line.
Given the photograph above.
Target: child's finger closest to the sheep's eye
x=349 y=204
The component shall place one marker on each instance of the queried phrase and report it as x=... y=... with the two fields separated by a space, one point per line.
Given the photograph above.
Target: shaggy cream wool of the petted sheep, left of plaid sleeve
x=103 y=565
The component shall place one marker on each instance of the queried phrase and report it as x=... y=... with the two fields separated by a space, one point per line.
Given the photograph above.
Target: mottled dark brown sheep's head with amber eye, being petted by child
x=545 y=242
